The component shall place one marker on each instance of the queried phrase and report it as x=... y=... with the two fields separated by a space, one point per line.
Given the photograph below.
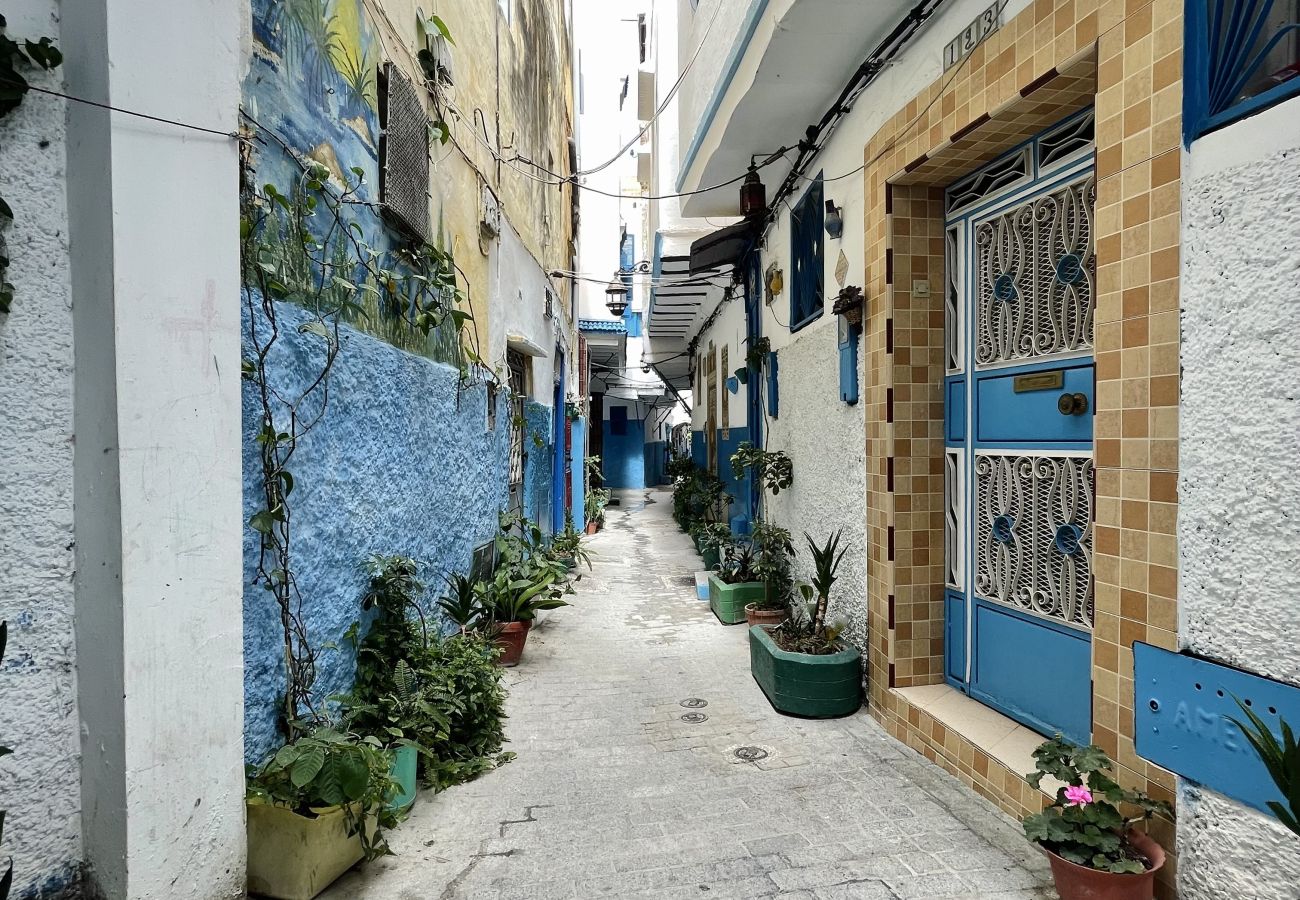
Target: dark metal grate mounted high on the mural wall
x=404 y=154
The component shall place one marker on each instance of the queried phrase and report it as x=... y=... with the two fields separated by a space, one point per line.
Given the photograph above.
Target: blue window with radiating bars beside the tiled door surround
x=1242 y=57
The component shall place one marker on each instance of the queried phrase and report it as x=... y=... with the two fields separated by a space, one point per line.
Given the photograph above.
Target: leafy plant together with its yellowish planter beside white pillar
x=317 y=808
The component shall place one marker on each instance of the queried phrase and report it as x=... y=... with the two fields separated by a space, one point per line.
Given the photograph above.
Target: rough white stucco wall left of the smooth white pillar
x=41 y=784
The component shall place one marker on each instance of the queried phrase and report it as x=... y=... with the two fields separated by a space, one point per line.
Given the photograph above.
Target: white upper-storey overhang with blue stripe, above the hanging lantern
x=790 y=63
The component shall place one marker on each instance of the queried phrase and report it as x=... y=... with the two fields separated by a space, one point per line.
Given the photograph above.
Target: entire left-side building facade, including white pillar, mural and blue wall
x=133 y=490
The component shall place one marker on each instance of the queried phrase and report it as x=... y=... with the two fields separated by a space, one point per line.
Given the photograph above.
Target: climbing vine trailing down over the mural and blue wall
x=302 y=248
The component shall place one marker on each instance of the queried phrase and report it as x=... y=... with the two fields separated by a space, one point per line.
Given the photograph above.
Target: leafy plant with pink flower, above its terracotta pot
x=1085 y=824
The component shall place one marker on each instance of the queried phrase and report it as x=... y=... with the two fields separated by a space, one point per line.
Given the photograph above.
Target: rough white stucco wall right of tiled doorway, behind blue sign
x=1238 y=527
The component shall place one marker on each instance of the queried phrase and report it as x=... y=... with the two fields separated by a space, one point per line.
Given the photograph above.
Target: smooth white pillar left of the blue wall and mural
x=154 y=220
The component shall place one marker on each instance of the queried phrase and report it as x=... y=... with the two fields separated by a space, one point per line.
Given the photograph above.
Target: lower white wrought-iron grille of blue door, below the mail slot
x=1034 y=542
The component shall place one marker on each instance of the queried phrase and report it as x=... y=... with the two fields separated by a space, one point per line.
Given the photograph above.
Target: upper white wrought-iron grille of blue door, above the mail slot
x=1035 y=276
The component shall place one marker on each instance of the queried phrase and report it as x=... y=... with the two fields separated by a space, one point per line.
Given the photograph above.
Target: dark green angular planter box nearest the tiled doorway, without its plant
x=817 y=687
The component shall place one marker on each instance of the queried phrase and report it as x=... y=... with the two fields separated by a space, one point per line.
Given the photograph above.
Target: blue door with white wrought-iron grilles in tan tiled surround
x=1021 y=278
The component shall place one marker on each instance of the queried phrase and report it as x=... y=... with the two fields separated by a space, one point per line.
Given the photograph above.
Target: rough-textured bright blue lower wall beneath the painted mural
x=402 y=462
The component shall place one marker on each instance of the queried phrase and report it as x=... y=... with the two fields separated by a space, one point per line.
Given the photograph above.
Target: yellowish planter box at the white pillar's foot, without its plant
x=294 y=858
